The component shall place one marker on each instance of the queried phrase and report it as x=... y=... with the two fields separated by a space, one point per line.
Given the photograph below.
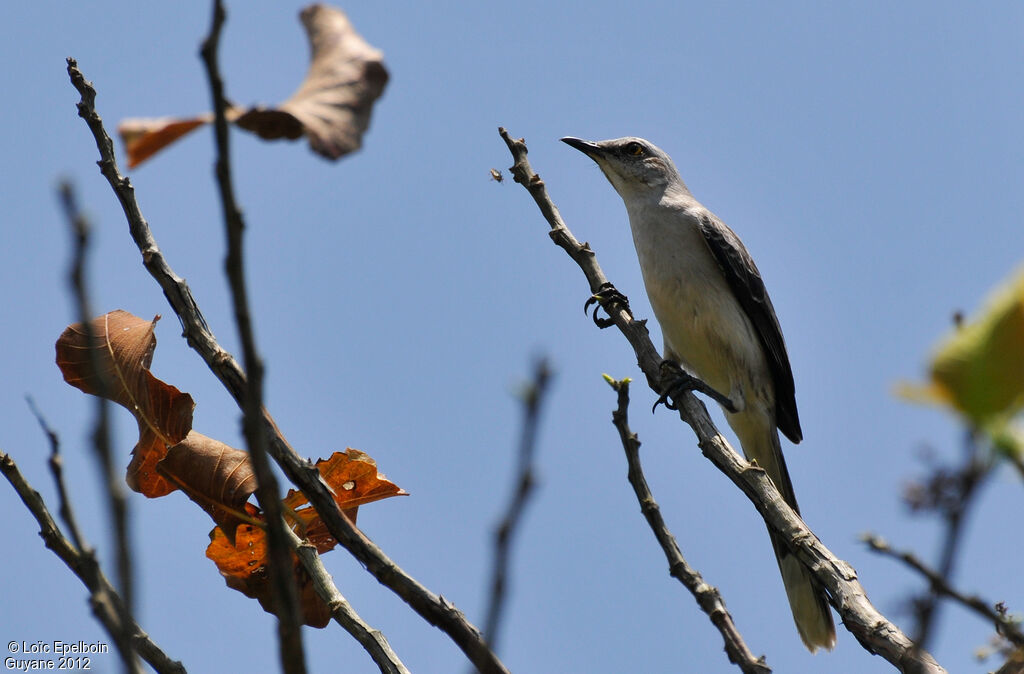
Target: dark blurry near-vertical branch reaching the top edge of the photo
x=282 y=575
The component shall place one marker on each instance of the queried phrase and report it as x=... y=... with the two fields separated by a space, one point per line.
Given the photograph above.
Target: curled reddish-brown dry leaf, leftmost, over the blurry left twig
x=122 y=348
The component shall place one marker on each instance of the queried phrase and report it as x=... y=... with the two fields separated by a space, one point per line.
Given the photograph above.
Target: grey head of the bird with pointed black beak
x=635 y=167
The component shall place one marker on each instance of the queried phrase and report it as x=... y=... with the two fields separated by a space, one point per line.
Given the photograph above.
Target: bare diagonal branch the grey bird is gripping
x=874 y=630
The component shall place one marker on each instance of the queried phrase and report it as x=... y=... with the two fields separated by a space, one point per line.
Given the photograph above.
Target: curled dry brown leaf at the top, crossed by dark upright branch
x=332 y=107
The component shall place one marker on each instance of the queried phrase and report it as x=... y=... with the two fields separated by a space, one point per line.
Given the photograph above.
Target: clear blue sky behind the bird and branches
x=869 y=155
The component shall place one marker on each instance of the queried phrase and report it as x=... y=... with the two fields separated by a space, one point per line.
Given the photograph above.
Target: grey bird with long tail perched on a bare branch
x=719 y=324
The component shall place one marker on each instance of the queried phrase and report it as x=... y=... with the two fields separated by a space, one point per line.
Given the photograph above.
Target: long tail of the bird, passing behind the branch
x=810 y=610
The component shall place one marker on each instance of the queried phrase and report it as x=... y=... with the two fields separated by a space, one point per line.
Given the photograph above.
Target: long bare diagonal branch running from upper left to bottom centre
x=434 y=609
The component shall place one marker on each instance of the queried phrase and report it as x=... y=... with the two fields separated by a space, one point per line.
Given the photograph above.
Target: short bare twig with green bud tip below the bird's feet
x=708 y=598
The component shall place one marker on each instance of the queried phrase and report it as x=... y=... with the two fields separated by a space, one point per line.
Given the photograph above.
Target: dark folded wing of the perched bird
x=745 y=280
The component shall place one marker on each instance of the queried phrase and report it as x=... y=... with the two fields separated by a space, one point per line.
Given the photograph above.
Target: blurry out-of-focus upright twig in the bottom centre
x=533 y=403
